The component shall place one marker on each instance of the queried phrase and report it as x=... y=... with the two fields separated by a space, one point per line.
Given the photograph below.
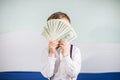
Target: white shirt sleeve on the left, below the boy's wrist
x=48 y=68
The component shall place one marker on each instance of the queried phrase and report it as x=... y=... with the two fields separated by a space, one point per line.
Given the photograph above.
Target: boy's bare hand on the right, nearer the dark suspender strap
x=64 y=46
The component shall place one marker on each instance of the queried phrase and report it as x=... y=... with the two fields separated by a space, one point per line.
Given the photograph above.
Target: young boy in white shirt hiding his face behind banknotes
x=63 y=60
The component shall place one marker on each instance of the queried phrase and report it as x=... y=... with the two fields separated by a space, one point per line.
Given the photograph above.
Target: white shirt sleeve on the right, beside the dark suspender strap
x=73 y=66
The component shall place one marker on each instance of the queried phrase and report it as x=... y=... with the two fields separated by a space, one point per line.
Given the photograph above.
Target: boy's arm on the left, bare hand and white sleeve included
x=48 y=69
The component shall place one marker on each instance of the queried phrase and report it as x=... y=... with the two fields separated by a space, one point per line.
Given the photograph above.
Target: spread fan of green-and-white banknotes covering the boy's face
x=57 y=29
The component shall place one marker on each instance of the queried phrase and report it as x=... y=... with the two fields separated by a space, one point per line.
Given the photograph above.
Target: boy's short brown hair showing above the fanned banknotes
x=59 y=15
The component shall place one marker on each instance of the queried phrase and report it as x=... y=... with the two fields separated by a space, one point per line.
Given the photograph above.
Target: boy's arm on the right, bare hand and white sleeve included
x=72 y=66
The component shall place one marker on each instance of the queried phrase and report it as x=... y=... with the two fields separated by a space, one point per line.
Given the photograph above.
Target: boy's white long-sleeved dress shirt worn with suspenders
x=62 y=68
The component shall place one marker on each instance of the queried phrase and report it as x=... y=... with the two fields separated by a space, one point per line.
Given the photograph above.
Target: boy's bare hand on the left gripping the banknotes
x=52 y=48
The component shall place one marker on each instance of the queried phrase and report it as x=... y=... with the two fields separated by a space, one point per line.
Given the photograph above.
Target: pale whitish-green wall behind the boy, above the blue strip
x=97 y=23
